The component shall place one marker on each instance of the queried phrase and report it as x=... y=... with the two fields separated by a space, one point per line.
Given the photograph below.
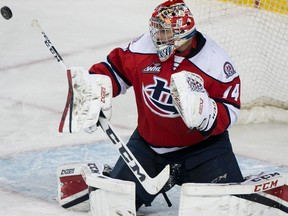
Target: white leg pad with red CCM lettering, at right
x=199 y=199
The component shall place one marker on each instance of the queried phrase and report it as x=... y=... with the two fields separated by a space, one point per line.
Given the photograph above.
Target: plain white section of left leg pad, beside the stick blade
x=112 y=197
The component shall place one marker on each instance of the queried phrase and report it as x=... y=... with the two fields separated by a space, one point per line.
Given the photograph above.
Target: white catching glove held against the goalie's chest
x=192 y=101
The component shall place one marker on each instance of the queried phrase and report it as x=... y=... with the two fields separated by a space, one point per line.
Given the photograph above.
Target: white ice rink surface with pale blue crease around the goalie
x=33 y=89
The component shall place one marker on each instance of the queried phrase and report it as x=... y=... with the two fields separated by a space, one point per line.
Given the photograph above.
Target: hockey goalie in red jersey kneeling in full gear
x=187 y=91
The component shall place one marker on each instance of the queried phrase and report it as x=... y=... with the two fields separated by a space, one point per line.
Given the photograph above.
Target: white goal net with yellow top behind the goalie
x=255 y=34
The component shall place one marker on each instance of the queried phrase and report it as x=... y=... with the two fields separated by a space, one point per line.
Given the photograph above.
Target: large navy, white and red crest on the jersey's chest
x=157 y=97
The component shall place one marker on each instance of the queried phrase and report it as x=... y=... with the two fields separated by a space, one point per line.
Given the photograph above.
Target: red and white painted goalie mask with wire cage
x=171 y=25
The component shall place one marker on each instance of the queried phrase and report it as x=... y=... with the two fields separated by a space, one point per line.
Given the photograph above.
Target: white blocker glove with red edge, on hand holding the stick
x=88 y=95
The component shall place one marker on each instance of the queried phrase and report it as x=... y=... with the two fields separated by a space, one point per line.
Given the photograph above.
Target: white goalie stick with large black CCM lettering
x=151 y=185
